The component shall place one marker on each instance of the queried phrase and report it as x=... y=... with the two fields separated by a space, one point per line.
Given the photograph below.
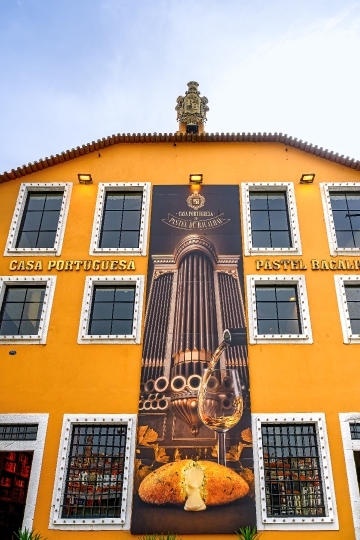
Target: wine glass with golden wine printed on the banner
x=220 y=404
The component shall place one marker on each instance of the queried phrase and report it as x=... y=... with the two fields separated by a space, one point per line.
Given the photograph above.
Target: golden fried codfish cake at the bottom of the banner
x=221 y=485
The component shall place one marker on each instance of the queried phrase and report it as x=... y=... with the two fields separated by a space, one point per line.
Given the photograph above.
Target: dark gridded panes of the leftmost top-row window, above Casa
x=40 y=220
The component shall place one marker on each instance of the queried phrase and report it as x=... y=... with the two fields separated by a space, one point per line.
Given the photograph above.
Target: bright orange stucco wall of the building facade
x=64 y=377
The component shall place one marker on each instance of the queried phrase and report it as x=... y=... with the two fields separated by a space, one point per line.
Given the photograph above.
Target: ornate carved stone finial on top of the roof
x=191 y=110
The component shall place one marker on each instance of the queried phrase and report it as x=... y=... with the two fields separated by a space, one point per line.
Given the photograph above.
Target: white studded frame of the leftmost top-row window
x=25 y=189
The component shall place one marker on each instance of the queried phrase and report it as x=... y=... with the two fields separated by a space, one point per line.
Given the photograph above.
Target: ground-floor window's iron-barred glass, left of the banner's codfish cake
x=95 y=471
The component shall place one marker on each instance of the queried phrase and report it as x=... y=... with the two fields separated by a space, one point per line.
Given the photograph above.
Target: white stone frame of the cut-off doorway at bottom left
x=37 y=447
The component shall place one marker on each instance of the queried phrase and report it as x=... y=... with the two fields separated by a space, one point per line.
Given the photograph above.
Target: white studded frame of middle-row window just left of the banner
x=84 y=337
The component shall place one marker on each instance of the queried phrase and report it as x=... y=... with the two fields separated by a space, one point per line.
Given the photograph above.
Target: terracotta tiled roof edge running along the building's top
x=128 y=138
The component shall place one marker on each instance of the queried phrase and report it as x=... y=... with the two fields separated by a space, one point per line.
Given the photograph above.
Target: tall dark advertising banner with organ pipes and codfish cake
x=185 y=481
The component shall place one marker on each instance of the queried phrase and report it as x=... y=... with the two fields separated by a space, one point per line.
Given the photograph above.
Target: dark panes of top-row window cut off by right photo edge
x=346 y=213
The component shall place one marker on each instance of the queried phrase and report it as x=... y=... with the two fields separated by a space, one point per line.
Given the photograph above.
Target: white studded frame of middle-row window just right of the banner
x=300 y=282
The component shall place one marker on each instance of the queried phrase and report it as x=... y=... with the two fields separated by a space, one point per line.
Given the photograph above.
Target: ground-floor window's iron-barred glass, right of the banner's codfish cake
x=293 y=482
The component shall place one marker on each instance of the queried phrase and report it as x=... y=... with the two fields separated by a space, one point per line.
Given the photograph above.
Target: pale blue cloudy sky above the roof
x=73 y=71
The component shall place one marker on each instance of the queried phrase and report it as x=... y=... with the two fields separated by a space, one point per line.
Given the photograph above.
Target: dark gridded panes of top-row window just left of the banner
x=121 y=219
